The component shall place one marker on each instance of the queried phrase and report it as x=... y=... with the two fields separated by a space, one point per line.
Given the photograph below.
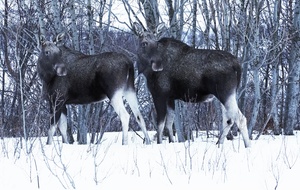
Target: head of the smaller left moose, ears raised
x=50 y=54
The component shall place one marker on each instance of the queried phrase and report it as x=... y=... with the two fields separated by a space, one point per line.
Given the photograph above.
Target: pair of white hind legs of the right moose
x=233 y=114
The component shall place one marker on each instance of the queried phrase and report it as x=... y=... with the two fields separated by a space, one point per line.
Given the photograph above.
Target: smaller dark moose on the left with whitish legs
x=71 y=77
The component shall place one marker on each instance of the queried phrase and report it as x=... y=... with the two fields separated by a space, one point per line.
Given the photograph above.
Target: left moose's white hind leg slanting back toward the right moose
x=133 y=103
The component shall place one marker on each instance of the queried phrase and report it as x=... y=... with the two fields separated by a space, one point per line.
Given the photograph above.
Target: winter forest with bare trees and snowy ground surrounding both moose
x=263 y=34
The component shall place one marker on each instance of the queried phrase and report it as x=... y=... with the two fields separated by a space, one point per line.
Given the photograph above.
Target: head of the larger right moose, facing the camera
x=150 y=49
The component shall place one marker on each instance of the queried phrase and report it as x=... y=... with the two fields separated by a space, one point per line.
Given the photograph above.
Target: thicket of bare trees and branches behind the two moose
x=263 y=34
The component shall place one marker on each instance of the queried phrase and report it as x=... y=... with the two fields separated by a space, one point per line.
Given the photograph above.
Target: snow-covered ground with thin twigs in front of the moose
x=271 y=163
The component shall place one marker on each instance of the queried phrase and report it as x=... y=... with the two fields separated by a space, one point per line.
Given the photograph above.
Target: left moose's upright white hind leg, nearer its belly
x=117 y=103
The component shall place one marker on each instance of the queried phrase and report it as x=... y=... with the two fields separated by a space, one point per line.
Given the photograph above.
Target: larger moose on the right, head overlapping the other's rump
x=176 y=71
